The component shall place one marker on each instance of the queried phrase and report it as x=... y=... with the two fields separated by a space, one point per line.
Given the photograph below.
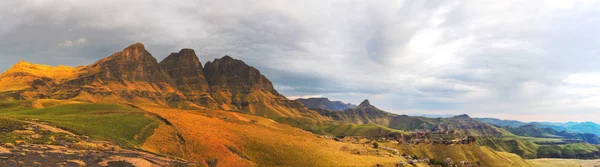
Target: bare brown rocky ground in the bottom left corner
x=43 y=145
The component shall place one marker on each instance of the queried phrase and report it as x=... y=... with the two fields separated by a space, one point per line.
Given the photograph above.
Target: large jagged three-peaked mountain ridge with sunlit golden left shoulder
x=133 y=75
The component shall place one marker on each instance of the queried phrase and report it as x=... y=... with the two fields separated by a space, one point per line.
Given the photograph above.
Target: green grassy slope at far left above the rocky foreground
x=126 y=126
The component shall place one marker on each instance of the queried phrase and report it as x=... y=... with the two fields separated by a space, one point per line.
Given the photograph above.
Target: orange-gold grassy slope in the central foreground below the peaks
x=235 y=139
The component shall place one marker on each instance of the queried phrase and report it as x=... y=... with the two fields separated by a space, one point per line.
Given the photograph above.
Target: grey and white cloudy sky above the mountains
x=526 y=60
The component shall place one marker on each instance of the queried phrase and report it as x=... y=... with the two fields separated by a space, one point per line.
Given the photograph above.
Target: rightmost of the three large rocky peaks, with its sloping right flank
x=237 y=86
